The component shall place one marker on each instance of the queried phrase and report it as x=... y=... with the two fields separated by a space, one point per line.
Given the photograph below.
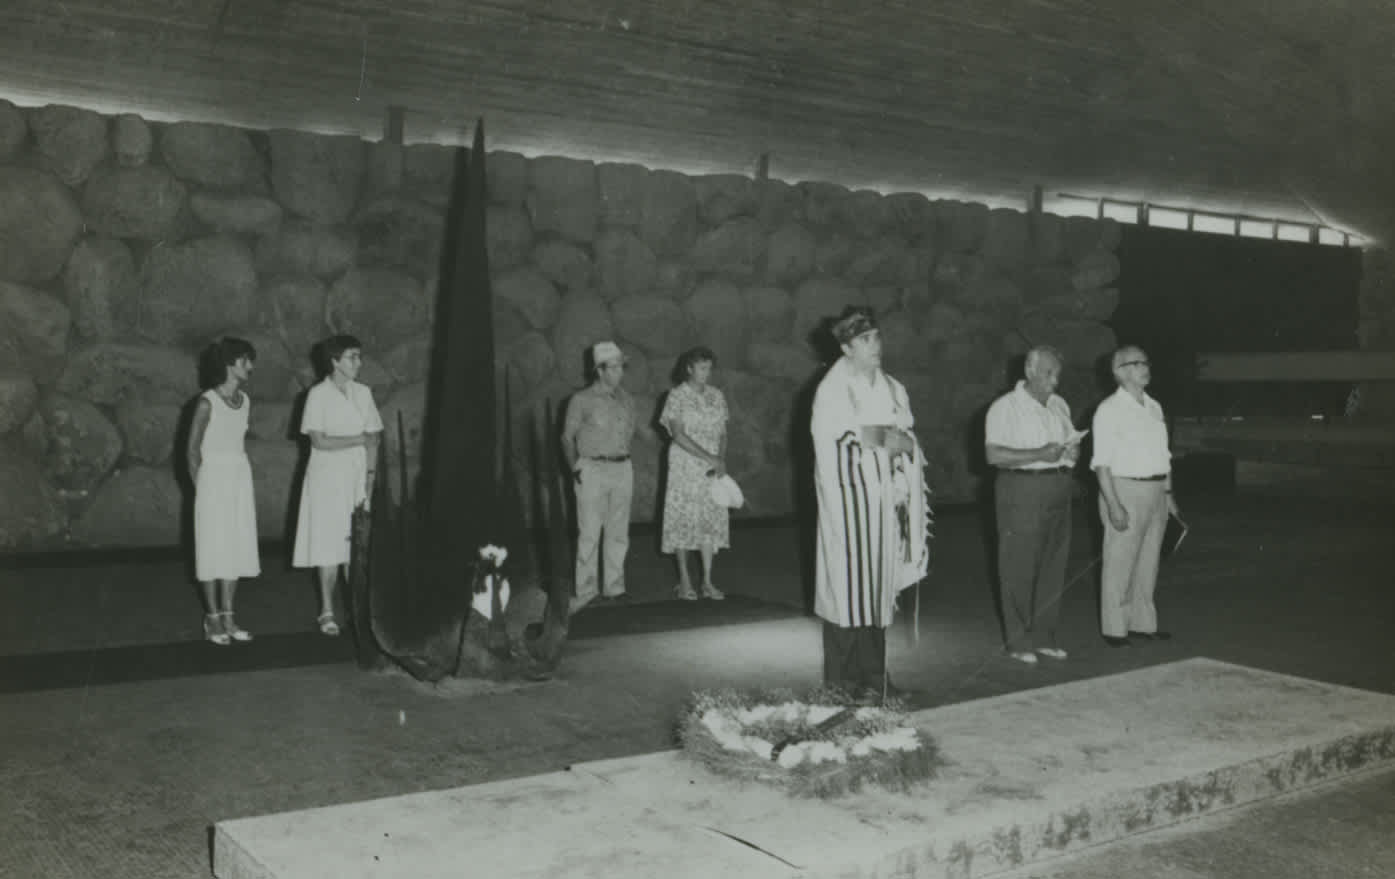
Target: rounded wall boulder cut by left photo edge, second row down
x=40 y=223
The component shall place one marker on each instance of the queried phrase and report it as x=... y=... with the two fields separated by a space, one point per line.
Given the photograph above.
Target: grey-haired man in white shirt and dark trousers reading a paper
x=1030 y=439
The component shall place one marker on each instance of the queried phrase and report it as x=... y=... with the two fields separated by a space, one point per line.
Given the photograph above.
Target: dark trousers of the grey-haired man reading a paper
x=1033 y=549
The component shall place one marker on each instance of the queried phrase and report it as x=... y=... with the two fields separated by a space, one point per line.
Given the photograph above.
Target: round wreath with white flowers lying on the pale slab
x=824 y=746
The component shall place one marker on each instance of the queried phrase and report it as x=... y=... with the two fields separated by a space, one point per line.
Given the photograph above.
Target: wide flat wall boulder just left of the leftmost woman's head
x=112 y=375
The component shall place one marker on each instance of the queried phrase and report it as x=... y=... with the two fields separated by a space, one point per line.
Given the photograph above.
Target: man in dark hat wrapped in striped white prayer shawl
x=873 y=509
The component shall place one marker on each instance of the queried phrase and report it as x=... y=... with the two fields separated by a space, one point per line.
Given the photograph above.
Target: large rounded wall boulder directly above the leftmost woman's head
x=197 y=290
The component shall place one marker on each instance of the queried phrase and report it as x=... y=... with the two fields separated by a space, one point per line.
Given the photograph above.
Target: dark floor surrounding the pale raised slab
x=126 y=779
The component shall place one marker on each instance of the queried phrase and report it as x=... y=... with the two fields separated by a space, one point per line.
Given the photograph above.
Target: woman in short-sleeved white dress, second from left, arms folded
x=344 y=428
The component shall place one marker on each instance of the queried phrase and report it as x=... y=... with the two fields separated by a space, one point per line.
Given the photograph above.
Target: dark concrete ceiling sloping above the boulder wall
x=1272 y=108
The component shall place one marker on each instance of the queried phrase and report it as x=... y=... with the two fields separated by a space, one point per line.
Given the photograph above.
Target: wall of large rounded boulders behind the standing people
x=126 y=246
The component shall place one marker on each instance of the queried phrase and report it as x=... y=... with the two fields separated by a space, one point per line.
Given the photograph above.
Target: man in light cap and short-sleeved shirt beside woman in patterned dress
x=596 y=435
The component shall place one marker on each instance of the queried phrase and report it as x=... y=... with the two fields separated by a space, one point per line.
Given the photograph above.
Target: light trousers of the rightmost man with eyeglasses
x=1131 y=559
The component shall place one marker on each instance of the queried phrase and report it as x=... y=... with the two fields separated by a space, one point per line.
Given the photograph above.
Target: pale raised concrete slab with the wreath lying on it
x=1033 y=775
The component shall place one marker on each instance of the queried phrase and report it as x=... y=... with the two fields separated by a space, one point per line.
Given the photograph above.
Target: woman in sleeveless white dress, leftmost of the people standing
x=225 y=513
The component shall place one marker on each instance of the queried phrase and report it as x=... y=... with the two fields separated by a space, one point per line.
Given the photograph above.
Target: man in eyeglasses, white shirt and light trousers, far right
x=1135 y=471
